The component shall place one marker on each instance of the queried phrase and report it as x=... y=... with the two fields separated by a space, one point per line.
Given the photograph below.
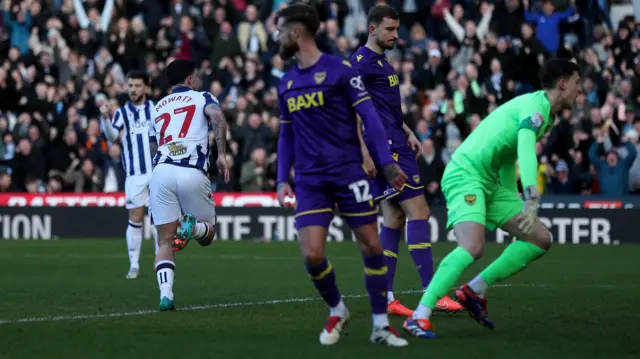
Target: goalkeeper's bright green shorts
x=472 y=199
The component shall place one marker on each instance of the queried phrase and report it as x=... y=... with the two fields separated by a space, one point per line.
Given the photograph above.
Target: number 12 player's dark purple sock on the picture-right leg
x=375 y=275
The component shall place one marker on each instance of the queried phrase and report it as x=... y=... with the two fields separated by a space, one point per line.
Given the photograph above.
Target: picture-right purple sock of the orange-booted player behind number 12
x=419 y=241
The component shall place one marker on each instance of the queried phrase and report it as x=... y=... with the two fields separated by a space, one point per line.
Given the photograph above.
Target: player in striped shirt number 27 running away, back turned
x=181 y=200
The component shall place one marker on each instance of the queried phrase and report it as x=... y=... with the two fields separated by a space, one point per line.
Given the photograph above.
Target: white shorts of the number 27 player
x=179 y=190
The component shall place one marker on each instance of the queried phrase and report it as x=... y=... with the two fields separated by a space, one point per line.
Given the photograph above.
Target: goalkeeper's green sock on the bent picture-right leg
x=515 y=258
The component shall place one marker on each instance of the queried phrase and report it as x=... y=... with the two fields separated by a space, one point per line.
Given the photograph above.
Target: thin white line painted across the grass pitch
x=143 y=312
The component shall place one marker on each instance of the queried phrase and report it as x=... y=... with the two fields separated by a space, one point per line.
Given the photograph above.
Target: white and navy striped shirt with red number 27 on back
x=181 y=128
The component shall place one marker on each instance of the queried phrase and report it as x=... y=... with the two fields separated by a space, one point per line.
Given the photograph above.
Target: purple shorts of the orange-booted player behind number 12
x=406 y=159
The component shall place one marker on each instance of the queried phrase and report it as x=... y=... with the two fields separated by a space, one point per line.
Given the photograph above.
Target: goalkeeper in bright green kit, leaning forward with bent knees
x=480 y=188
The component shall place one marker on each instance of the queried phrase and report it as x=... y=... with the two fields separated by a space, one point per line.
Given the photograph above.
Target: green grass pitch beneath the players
x=577 y=302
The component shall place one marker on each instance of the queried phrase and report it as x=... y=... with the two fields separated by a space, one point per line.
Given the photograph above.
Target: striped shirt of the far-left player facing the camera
x=136 y=150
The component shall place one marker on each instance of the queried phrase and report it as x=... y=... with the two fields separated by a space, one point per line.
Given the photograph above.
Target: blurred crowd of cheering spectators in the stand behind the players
x=456 y=59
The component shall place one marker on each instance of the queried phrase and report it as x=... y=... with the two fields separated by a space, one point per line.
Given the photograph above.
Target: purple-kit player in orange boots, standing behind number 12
x=383 y=85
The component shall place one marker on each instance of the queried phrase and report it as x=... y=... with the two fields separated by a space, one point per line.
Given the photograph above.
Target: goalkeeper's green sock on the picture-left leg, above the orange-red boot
x=445 y=277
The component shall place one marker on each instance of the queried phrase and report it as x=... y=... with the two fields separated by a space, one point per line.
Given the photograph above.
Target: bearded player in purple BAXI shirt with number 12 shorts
x=318 y=135
